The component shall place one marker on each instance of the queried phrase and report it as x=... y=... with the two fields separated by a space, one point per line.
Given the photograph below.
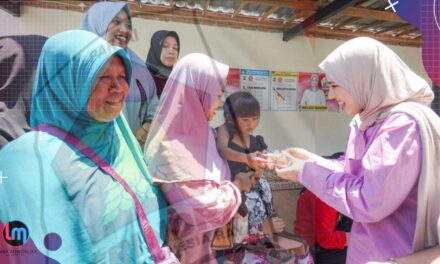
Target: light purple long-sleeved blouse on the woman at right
x=375 y=184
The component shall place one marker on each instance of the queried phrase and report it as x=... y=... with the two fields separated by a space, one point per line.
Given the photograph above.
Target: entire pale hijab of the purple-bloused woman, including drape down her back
x=382 y=84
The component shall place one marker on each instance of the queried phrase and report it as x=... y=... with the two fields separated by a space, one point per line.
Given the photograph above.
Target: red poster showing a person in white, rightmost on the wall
x=311 y=96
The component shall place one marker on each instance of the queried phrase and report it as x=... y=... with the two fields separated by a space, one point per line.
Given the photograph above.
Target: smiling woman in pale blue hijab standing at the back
x=112 y=21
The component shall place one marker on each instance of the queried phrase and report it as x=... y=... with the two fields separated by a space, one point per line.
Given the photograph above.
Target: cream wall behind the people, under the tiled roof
x=323 y=133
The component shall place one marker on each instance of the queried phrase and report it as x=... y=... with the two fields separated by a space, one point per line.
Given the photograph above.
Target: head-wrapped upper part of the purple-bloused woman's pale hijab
x=376 y=77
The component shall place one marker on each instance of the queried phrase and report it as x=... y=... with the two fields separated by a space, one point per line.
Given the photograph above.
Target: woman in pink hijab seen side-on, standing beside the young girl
x=182 y=157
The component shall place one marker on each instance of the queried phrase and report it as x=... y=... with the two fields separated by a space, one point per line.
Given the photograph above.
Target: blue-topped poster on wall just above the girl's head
x=257 y=83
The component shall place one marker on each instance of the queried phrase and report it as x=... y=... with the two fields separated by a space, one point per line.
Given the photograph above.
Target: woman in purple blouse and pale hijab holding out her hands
x=388 y=182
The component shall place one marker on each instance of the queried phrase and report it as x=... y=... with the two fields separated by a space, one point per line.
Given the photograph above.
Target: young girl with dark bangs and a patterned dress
x=235 y=143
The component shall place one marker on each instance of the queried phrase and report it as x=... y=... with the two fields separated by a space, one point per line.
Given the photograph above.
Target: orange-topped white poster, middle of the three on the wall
x=283 y=90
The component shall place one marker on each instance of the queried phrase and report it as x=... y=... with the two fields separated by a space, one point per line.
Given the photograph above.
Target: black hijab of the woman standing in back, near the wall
x=153 y=62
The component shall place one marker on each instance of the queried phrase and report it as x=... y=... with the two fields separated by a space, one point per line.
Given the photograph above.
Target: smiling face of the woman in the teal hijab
x=109 y=92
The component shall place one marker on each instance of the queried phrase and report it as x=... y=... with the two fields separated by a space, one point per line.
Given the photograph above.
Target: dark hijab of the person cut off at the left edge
x=16 y=89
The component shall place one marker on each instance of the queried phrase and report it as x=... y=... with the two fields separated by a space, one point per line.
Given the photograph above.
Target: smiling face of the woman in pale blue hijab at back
x=119 y=30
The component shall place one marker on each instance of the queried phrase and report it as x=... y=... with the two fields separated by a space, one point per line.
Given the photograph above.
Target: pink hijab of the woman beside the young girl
x=181 y=144
